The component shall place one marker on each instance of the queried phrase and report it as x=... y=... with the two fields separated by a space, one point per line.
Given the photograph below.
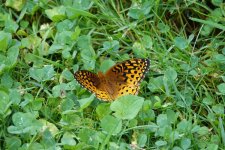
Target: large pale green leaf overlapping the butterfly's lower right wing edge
x=127 y=107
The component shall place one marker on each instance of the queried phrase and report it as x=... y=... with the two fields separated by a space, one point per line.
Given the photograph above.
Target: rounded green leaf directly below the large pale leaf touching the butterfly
x=111 y=124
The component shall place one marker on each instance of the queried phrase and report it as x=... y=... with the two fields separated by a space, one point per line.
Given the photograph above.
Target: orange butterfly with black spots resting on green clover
x=121 y=79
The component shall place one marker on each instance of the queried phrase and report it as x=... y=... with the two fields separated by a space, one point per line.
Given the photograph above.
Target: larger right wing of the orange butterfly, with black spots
x=128 y=75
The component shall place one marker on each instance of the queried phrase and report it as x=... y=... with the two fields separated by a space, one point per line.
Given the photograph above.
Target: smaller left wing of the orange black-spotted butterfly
x=92 y=83
